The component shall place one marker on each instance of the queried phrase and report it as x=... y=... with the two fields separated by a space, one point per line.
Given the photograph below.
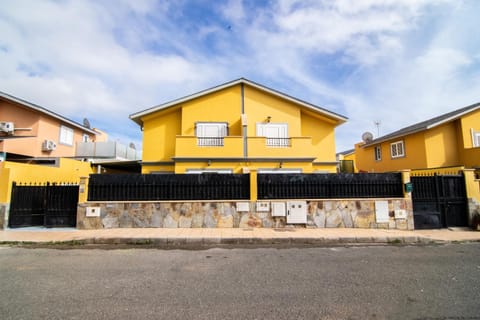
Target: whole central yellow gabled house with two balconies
x=237 y=127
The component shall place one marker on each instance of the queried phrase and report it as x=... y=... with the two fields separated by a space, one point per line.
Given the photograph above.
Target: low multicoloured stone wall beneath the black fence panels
x=320 y=214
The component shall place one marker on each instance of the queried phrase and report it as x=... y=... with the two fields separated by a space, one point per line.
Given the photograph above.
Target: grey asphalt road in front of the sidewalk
x=386 y=282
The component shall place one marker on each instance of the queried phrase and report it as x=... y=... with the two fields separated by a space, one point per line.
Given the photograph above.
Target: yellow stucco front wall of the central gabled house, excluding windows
x=170 y=134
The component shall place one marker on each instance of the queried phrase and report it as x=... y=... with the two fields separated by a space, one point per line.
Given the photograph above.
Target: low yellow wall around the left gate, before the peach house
x=68 y=171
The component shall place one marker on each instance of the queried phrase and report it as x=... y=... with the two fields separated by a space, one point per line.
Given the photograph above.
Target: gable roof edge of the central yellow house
x=137 y=116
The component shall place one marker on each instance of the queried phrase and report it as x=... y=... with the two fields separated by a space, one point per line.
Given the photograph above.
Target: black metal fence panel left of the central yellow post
x=139 y=187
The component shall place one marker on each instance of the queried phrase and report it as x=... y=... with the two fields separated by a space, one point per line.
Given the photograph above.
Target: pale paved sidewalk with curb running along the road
x=178 y=238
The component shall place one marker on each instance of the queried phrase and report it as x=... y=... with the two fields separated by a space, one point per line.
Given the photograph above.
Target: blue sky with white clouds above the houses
x=383 y=64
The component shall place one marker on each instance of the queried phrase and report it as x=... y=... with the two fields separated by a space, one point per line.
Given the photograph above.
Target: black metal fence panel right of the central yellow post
x=330 y=186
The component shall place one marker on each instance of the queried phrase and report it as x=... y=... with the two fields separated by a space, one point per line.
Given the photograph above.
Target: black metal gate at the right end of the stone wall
x=439 y=201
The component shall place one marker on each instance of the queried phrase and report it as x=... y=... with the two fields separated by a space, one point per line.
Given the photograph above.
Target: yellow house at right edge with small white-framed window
x=452 y=139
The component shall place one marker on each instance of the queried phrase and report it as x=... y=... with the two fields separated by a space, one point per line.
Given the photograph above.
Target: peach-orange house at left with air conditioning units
x=29 y=131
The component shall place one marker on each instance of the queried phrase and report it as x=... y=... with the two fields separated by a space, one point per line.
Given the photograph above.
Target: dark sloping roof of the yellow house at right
x=425 y=125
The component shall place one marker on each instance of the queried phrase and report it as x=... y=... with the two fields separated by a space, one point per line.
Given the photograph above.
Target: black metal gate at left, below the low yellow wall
x=49 y=205
